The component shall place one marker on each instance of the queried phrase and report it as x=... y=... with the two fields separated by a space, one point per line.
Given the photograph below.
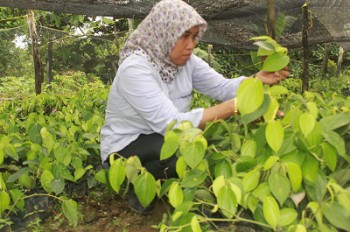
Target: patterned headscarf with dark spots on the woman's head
x=158 y=33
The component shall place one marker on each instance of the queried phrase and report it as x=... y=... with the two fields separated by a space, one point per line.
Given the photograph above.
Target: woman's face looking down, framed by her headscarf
x=183 y=48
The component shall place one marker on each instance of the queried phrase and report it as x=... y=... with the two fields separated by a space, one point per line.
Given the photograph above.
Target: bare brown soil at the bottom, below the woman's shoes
x=107 y=212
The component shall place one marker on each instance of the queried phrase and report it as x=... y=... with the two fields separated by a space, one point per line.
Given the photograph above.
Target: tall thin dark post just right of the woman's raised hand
x=305 y=44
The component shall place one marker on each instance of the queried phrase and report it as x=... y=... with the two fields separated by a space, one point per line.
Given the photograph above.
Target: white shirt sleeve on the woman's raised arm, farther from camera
x=207 y=81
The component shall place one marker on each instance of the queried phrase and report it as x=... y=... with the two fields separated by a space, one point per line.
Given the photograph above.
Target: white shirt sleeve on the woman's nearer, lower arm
x=140 y=86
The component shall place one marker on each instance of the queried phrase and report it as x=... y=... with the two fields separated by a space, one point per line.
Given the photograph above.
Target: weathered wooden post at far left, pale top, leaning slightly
x=38 y=67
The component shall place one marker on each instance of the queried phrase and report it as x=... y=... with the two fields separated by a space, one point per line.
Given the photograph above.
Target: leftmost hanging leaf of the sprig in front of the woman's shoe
x=116 y=174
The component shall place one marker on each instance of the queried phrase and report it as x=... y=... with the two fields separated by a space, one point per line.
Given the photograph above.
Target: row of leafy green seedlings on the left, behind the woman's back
x=49 y=143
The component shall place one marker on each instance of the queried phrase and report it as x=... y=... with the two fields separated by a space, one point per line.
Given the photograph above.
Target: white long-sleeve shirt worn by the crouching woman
x=140 y=102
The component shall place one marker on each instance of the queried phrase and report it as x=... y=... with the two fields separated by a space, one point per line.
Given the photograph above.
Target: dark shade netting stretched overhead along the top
x=231 y=22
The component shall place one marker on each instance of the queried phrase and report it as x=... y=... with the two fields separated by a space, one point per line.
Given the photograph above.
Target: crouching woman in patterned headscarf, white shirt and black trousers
x=154 y=83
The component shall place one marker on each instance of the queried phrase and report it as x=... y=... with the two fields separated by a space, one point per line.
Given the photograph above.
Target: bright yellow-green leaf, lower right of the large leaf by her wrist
x=274 y=135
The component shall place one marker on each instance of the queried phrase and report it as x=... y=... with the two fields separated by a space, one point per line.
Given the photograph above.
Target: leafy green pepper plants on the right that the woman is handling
x=286 y=173
